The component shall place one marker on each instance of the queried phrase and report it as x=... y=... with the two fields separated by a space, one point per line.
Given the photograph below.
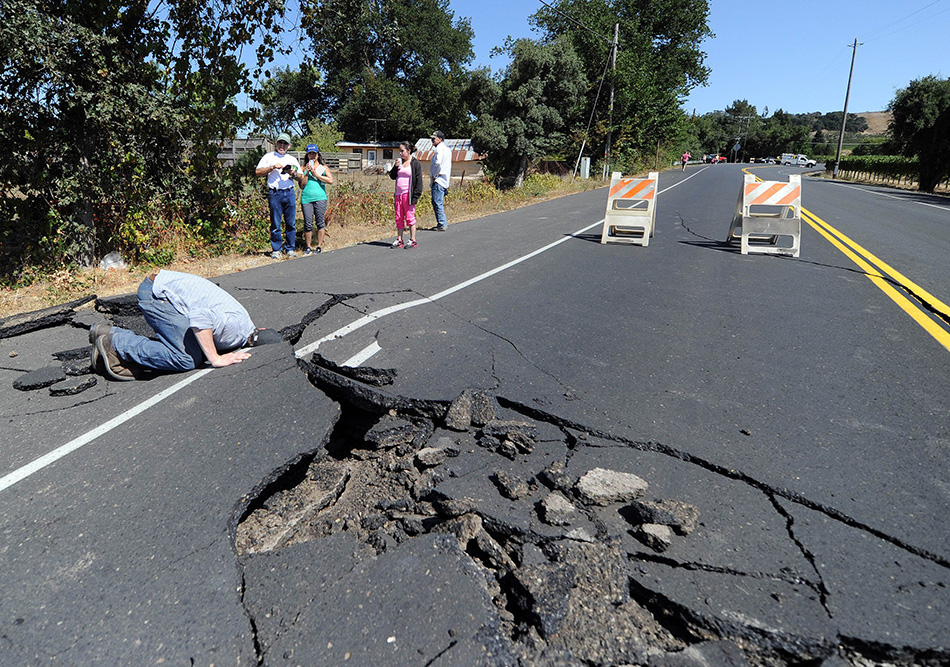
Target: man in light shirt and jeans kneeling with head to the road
x=194 y=320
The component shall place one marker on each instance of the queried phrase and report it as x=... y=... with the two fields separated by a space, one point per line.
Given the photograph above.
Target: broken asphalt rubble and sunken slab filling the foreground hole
x=554 y=552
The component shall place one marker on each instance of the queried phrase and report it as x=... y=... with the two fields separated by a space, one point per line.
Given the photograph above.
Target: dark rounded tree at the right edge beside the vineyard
x=920 y=125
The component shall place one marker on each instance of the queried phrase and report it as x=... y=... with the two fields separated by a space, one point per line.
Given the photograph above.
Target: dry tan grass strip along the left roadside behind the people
x=67 y=285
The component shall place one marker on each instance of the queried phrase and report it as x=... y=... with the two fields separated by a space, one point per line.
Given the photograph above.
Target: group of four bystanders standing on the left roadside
x=283 y=170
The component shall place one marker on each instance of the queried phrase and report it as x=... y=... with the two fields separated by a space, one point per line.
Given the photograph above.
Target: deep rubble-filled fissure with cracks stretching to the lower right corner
x=562 y=554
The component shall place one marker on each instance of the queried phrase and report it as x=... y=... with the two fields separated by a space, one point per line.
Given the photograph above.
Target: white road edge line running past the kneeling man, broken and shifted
x=47 y=459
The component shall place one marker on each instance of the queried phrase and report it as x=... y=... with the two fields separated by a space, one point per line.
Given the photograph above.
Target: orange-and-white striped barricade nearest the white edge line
x=631 y=209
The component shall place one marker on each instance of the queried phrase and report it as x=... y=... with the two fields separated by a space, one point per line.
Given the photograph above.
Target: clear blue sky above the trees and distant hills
x=789 y=55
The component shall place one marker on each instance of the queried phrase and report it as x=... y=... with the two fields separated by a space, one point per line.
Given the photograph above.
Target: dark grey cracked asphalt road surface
x=802 y=412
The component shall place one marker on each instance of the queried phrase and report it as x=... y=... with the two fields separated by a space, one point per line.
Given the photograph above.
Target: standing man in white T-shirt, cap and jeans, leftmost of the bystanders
x=281 y=170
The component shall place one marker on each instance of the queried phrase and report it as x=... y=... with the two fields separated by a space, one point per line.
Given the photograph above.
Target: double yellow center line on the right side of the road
x=883 y=275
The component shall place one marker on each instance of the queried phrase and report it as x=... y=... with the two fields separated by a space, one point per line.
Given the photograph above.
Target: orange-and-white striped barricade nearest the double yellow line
x=768 y=213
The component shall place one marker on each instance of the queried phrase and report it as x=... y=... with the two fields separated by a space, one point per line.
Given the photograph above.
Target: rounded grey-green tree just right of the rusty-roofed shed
x=532 y=108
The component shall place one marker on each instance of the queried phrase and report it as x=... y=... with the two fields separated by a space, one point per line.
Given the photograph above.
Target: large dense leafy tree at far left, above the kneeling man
x=106 y=103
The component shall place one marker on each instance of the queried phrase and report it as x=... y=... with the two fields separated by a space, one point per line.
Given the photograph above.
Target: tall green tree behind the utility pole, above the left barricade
x=658 y=63
